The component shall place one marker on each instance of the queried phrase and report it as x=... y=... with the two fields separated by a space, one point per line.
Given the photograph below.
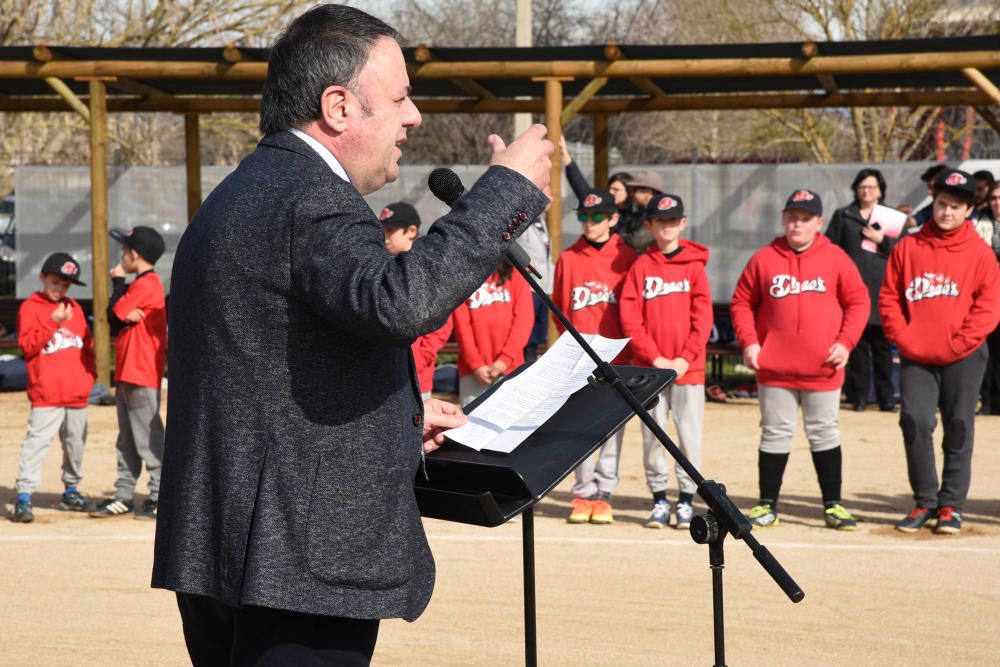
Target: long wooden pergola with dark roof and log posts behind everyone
x=560 y=82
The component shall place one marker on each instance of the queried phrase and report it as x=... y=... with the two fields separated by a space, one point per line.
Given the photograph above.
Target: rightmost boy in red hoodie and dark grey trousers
x=939 y=301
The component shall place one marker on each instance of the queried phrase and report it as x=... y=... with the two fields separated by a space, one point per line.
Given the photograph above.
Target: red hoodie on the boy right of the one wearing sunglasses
x=666 y=308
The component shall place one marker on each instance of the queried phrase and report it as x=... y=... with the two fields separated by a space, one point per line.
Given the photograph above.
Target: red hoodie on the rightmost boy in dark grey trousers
x=941 y=294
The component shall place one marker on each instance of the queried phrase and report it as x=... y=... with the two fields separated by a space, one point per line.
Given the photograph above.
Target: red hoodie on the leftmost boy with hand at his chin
x=59 y=357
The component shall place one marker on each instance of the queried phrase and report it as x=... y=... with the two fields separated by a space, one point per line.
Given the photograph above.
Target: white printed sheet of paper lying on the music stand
x=525 y=402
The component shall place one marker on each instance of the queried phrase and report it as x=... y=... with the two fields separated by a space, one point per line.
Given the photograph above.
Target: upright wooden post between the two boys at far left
x=99 y=227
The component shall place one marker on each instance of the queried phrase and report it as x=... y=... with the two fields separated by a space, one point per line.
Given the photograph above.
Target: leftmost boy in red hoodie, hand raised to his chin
x=59 y=355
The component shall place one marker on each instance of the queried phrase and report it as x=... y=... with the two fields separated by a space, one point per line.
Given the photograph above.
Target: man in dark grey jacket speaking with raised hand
x=287 y=520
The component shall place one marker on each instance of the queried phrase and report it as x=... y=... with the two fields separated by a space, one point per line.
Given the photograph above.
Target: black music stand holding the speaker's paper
x=489 y=488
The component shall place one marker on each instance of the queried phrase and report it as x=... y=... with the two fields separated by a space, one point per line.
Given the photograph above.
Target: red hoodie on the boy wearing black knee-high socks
x=796 y=305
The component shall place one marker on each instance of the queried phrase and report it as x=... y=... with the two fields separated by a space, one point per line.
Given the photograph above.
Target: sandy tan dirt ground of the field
x=75 y=591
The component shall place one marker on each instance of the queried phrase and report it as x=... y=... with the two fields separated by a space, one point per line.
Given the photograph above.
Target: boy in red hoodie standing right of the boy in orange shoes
x=666 y=310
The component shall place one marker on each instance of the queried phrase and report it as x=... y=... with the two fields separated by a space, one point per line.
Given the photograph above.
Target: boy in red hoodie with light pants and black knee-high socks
x=799 y=308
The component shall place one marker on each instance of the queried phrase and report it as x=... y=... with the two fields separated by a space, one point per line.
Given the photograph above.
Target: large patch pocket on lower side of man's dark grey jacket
x=363 y=530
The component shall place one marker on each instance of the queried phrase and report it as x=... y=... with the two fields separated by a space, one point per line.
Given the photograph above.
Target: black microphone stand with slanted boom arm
x=723 y=517
